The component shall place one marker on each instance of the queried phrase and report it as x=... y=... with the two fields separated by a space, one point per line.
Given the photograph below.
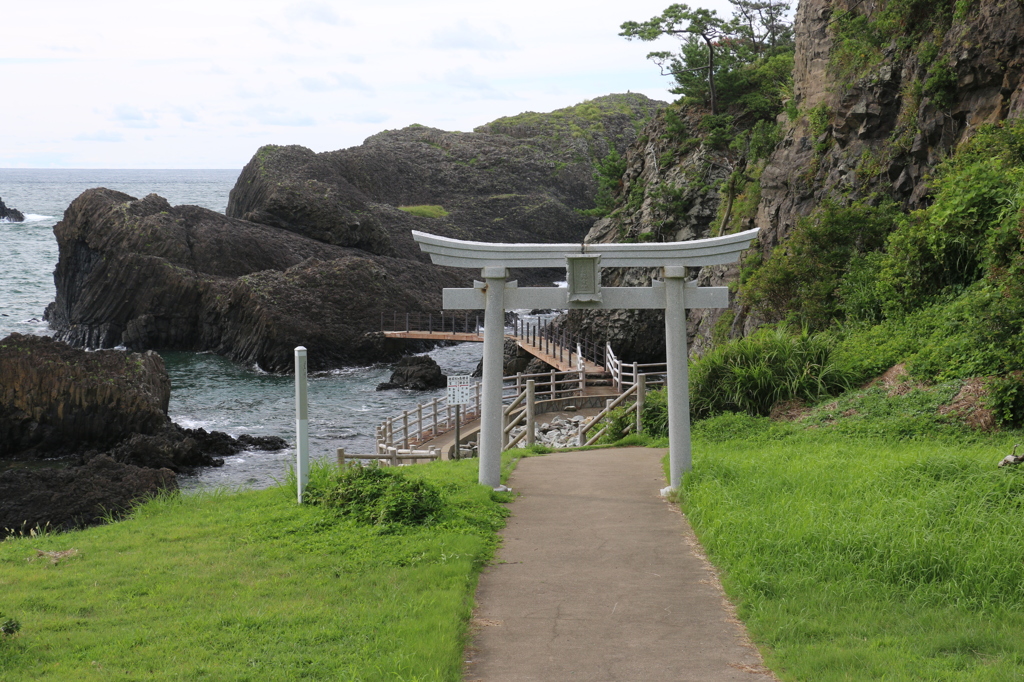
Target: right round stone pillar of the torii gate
x=678 y=374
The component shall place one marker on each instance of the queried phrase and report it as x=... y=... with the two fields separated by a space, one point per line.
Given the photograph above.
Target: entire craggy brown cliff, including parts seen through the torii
x=872 y=115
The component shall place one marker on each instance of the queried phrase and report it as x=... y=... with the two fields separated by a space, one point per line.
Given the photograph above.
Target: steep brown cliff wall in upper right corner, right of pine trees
x=885 y=132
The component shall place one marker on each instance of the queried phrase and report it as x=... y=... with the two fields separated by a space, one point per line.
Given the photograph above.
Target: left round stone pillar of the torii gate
x=491 y=400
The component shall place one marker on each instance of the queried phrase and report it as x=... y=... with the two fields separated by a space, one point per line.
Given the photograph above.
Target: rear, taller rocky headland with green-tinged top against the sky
x=521 y=179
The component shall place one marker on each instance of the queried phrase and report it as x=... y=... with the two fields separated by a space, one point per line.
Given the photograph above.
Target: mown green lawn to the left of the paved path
x=250 y=586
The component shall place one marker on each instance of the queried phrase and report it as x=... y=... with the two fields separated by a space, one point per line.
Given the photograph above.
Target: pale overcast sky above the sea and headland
x=204 y=83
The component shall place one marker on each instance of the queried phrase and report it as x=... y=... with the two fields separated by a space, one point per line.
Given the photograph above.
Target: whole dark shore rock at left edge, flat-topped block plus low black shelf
x=100 y=420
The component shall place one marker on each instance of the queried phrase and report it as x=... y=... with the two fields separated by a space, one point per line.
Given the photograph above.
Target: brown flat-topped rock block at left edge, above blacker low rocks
x=55 y=399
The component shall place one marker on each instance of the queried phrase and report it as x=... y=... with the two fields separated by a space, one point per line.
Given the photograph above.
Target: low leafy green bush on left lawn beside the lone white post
x=377 y=496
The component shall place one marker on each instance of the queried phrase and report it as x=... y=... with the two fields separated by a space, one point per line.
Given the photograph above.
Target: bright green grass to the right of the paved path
x=854 y=557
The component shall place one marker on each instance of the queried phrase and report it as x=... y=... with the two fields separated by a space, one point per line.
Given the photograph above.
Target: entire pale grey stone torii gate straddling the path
x=583 y=264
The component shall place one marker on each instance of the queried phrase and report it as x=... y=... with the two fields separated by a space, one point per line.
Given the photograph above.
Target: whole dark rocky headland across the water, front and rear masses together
x=317 y=247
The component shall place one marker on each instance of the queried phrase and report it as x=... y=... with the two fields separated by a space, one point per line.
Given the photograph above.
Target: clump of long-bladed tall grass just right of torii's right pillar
x=756 y=373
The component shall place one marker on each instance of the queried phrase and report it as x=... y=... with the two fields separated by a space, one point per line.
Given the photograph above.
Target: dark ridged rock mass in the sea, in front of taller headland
x=143 y=275
